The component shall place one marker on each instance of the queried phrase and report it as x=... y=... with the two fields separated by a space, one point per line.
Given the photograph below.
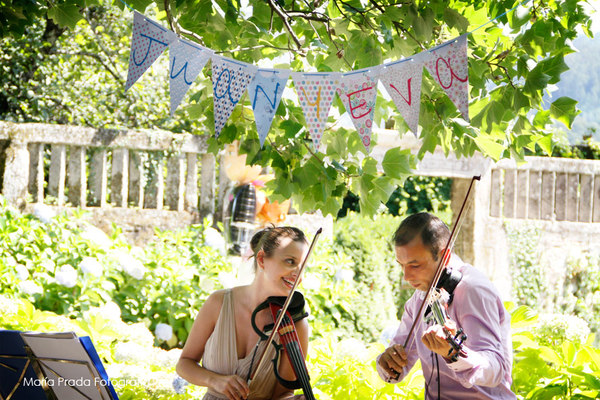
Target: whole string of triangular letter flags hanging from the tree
x=447 y=63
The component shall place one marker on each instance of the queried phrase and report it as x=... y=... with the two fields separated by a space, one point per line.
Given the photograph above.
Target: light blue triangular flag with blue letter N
x=265 y=94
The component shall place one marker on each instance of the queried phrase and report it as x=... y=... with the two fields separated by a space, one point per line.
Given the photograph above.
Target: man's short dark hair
x=433 y=232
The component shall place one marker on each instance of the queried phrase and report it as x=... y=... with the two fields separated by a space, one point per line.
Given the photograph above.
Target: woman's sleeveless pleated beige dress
x=220 y=356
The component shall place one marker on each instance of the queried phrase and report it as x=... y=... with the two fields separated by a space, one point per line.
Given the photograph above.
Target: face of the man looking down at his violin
x=417 y=263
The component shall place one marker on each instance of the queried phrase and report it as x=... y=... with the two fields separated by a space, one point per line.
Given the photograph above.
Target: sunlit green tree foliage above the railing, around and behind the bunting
x=511 y=63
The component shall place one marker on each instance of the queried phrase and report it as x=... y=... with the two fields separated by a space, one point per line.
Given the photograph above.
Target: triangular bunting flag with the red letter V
x=402 y=80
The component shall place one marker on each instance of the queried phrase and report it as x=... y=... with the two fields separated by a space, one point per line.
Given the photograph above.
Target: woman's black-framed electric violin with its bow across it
x=283 y=311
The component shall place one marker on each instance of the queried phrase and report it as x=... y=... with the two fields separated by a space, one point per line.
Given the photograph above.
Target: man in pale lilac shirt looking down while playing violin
x=482 y=367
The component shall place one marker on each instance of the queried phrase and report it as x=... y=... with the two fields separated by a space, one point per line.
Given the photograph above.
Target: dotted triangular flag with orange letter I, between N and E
x=315 y=93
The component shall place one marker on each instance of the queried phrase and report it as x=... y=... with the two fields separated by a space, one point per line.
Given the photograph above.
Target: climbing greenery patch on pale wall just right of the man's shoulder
x=525 y=269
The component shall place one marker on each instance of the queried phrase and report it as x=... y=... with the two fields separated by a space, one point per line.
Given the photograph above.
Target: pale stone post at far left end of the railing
x=16 y=174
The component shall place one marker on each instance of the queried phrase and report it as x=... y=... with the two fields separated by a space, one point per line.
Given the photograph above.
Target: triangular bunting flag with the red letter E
x=358 y=91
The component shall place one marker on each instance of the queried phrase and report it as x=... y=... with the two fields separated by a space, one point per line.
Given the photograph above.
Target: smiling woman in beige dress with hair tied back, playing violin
x=222 y=335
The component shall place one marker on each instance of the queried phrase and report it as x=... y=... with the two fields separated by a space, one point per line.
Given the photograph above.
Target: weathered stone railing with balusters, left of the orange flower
x=113 y=173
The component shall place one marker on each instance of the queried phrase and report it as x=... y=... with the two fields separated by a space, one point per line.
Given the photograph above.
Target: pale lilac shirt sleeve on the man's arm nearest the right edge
x=480 y=312
